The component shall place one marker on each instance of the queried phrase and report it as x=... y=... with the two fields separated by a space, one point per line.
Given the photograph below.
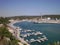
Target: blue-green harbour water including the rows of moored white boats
x=50 y=30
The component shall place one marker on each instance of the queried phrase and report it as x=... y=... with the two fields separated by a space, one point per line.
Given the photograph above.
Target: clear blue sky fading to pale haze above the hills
x=29 y=7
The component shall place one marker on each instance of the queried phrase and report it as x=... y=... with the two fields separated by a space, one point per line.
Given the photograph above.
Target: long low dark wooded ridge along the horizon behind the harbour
x=31 y=17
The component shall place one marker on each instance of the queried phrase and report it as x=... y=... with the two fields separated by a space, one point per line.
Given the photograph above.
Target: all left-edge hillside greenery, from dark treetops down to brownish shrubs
x=6 y=38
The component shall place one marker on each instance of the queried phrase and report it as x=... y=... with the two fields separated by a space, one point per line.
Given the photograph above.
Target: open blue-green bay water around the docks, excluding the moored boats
x=52 y=31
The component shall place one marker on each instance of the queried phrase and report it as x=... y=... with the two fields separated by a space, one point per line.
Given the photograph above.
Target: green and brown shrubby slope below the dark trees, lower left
x=4 y=33
